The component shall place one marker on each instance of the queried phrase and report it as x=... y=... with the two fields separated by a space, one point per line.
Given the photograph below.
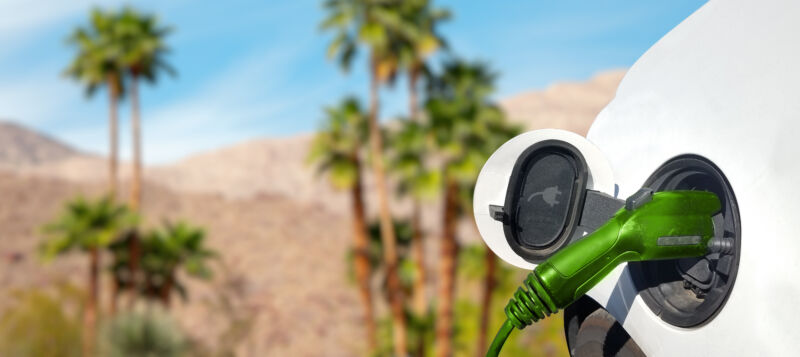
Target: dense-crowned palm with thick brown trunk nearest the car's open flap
x=467 y=127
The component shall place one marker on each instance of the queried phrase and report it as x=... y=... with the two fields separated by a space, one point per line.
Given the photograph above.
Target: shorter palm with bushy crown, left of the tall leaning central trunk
x=337 y=150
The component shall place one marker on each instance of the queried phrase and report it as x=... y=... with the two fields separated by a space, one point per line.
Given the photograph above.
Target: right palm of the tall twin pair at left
x=143 y=52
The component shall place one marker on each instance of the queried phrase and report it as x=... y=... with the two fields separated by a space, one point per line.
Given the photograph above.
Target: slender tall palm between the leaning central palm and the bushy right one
x=418 y=30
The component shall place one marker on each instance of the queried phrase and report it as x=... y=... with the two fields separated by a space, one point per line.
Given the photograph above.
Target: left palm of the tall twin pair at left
x=97 y=64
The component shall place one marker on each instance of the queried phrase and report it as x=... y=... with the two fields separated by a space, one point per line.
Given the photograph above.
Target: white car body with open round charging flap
x=714 y=105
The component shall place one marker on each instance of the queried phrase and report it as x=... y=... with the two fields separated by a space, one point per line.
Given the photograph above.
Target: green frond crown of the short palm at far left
x=86 y=224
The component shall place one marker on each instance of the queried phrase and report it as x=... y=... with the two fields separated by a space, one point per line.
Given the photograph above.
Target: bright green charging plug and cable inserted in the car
x=652 y=226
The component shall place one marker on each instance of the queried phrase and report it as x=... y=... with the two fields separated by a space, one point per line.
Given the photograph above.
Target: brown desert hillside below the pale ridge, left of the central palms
x=272 y=268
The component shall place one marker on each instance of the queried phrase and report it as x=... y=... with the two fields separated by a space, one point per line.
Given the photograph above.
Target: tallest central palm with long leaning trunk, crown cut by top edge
x=368 y=23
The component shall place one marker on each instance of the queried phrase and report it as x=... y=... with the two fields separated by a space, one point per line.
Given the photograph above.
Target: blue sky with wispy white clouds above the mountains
x=251 y=69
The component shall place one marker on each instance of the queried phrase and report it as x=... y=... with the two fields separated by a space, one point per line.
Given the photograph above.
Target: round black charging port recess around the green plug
x=689 y=292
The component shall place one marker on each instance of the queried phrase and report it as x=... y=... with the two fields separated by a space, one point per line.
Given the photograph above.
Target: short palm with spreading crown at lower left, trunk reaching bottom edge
x=88 y=226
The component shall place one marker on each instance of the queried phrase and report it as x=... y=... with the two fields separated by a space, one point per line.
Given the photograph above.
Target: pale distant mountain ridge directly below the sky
x=277 y=166
